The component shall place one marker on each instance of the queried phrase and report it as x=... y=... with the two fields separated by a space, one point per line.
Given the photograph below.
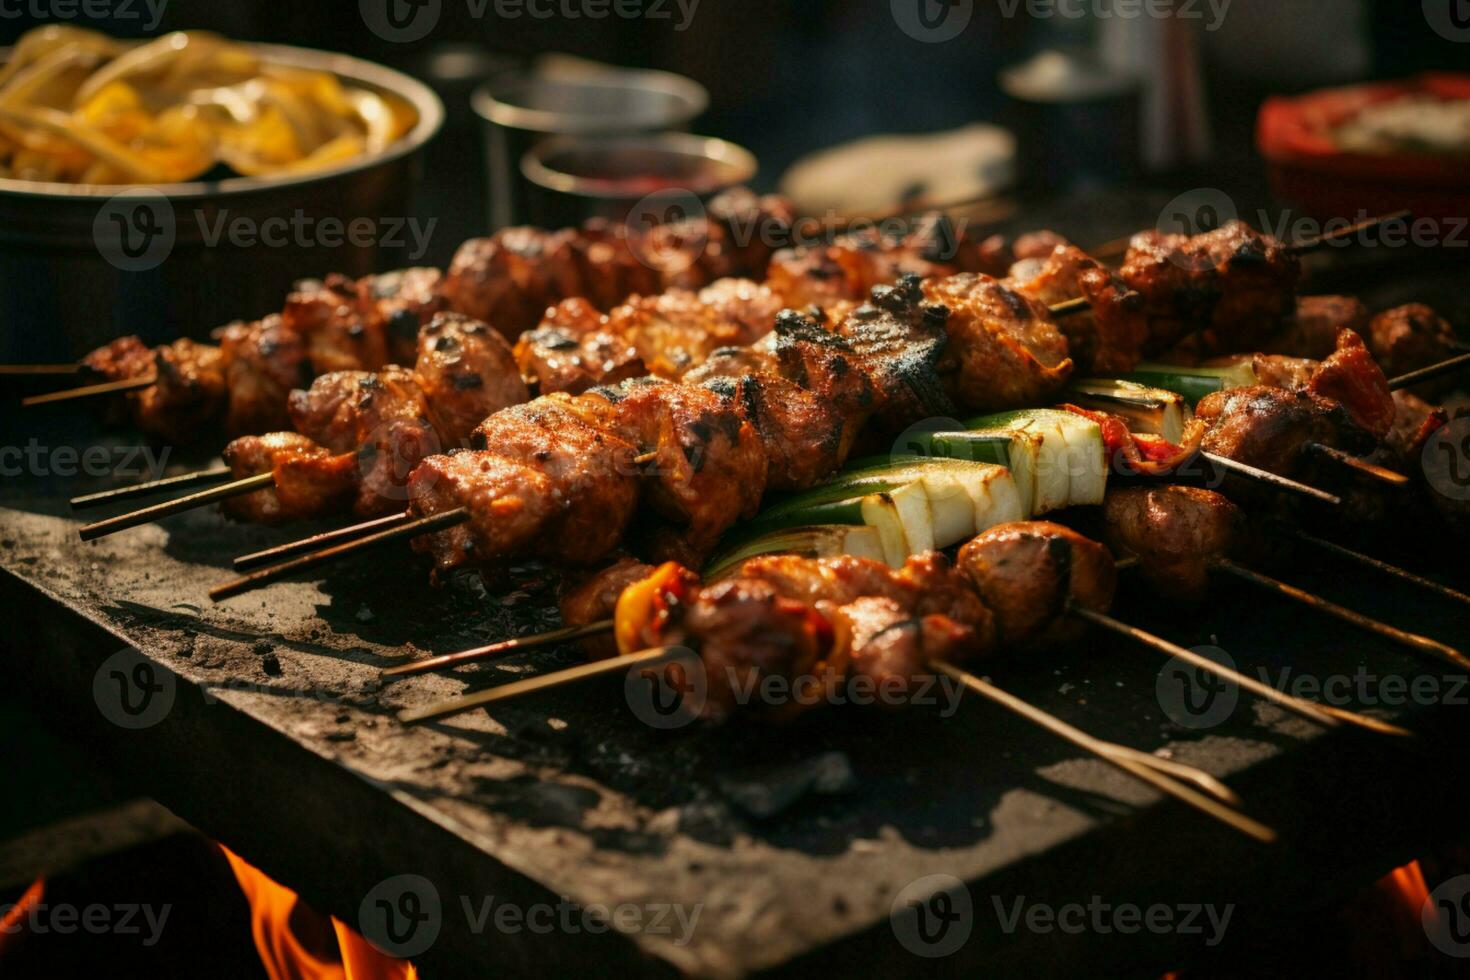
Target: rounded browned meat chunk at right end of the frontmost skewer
x=1030 y=574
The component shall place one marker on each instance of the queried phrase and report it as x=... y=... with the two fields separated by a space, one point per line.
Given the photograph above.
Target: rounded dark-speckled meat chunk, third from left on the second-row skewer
x=467 y=372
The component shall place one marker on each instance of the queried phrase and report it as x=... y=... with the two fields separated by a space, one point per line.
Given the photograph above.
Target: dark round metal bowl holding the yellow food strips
x=85 y=264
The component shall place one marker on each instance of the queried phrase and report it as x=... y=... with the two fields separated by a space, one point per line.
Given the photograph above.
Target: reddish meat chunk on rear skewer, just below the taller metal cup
x=511 y=278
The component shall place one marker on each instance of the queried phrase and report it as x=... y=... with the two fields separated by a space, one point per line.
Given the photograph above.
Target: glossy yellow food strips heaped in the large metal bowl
x=82 y=108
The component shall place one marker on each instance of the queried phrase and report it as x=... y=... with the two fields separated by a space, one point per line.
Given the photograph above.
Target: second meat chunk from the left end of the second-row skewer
x=383 y=418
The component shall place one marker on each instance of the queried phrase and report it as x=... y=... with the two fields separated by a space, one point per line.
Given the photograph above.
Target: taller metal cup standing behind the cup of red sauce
x=521 y=109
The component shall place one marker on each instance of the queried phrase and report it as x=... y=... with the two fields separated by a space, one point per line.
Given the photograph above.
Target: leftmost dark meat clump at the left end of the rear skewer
x=189 y=393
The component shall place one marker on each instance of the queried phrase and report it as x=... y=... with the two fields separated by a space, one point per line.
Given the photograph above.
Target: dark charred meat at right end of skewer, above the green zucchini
x=1231 y=287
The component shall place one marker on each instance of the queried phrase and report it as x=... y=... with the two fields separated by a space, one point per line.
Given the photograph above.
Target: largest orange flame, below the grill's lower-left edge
x=284 y=928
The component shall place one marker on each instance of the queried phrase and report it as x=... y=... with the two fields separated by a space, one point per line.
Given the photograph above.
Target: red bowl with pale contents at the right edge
x=1311 y=173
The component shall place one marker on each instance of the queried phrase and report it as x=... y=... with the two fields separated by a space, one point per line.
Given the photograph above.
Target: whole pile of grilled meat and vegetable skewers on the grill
x=664 y=424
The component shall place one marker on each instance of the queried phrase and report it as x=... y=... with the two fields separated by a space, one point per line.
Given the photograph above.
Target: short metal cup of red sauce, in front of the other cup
x=630 y=179
